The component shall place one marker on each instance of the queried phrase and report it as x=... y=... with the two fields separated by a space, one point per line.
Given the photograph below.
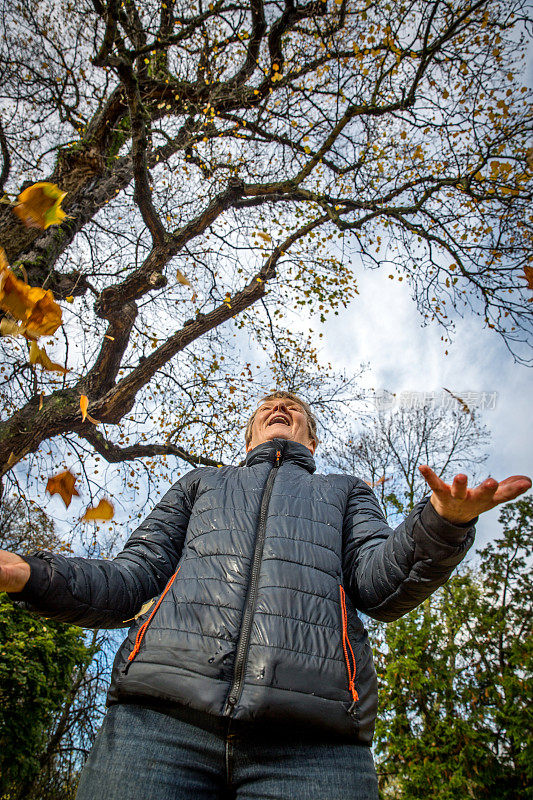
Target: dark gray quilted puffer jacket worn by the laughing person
x=256 y=575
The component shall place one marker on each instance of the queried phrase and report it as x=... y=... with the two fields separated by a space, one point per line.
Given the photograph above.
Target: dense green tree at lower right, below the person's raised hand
x=455 y=675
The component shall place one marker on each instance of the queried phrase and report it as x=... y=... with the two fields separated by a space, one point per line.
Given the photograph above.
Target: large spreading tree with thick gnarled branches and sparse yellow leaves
x=247 y=147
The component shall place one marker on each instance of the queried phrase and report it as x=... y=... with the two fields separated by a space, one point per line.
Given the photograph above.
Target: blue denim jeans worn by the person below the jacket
x=145 y=754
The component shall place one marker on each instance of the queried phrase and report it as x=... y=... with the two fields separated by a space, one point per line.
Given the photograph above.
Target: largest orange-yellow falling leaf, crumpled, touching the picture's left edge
x=35 y=308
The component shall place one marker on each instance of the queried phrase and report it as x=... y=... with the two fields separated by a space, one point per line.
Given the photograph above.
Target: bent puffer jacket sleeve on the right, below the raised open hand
x=387 y=571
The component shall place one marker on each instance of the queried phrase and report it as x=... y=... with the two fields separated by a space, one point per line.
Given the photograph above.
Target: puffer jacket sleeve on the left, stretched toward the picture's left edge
x=100 y=593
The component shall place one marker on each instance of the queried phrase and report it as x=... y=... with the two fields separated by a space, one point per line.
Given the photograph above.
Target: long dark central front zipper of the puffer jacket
x=249 y=608
